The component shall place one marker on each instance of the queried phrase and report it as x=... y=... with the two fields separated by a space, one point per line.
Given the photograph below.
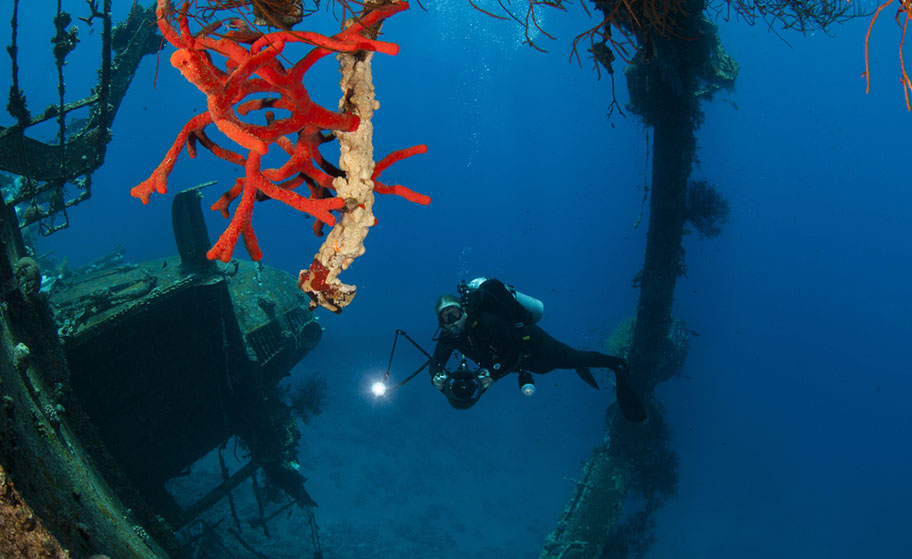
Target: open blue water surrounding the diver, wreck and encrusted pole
x=791 y=419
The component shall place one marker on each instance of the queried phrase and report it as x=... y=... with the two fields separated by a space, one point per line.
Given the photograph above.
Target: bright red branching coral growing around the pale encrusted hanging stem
x=252 y=65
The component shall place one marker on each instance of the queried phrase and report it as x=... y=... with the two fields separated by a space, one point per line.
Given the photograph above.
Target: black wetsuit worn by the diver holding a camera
x=499 y=346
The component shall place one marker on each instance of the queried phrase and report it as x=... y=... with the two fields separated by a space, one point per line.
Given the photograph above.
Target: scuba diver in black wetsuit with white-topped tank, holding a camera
x=494 y=325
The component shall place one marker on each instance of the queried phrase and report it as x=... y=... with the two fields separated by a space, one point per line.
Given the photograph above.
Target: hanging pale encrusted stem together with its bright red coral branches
x=254 y=79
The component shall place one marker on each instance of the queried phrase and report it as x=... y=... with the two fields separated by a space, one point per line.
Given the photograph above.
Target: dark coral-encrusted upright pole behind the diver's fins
x=664 y=83
